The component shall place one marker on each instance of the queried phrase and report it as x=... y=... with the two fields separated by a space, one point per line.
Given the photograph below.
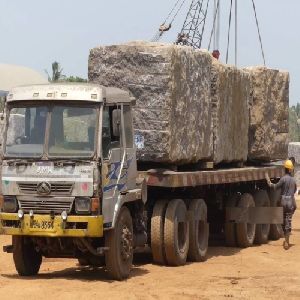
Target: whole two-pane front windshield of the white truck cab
x=71 y=131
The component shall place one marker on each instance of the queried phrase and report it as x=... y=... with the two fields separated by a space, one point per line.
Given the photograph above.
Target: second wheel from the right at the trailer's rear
x=261 y=199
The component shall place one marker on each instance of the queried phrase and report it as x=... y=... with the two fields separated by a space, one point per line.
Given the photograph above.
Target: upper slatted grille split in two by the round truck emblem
x=57 y=188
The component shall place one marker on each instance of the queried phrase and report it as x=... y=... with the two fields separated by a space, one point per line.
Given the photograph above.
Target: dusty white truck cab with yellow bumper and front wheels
x=69 y=175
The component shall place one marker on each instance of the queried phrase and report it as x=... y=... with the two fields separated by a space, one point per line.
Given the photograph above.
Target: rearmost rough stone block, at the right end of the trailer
x=268 y=131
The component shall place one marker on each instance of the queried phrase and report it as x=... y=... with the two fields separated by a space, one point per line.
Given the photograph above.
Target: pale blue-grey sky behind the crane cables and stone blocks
x=34 y=33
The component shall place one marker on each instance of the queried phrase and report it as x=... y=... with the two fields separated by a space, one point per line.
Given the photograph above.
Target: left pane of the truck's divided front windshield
x=26 y=131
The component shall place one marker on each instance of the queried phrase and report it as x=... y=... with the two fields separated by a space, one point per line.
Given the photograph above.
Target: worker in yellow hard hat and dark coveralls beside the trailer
x=288 y=187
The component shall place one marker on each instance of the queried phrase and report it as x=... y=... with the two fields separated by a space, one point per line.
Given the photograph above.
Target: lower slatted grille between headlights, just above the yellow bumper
x=45 y=204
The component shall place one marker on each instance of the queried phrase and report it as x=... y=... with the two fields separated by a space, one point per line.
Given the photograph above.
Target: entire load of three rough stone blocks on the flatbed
x=191 y=108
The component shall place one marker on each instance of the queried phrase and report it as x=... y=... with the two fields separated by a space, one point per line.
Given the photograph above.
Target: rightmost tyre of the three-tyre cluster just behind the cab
x=199 y=231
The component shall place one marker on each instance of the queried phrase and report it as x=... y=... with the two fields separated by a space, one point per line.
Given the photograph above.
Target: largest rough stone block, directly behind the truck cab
x=172 y=87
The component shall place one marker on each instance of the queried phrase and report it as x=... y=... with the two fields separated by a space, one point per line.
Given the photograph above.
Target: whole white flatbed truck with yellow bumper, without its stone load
x=71 y=187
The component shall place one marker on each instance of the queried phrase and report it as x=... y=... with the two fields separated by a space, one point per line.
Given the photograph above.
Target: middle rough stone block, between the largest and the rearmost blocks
x=230 y=94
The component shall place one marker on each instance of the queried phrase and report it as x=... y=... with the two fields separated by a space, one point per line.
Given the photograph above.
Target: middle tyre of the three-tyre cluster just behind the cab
x=176 y=233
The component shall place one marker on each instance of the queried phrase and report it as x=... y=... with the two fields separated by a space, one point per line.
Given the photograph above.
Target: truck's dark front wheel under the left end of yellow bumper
x=27 y=260
